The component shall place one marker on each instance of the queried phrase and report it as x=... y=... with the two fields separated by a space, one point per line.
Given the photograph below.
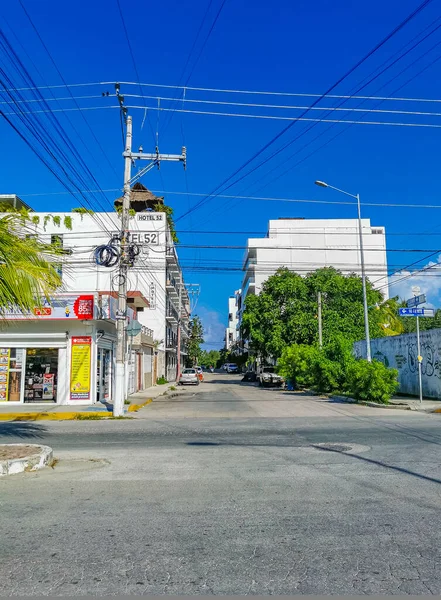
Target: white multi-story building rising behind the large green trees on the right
x=304 y=245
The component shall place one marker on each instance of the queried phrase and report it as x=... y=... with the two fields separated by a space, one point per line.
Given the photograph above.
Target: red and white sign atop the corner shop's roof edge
x=61 y=308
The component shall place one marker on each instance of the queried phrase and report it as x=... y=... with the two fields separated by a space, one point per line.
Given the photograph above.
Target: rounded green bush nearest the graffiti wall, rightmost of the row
x=371 y=381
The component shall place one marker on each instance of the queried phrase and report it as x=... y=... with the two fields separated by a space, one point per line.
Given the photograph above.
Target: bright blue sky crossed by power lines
x=295 y=47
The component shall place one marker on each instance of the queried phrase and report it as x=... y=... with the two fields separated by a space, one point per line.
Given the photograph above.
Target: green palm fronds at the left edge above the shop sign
x=27 y=267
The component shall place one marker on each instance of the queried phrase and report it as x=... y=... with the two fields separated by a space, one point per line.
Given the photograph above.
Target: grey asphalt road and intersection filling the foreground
x=228 y=489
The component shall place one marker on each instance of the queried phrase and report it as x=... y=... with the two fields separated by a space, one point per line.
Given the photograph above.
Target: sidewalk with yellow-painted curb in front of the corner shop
x=54 y=412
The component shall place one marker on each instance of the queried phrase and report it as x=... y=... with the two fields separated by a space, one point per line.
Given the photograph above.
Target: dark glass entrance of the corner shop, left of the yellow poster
x=41 y=375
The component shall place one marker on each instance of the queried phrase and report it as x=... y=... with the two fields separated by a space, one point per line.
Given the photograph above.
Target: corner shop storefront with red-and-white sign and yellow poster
x=62 y=353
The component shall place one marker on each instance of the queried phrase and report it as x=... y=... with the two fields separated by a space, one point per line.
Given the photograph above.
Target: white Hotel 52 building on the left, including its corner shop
x=158 y=304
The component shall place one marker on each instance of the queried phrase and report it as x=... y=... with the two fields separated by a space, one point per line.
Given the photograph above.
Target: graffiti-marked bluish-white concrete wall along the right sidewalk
x=400 y=352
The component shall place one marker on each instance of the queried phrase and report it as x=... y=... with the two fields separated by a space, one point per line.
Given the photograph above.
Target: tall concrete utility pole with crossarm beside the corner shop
x=118 y=402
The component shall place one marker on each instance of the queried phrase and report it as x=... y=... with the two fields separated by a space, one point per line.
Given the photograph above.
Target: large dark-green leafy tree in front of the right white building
x=285 y=312
